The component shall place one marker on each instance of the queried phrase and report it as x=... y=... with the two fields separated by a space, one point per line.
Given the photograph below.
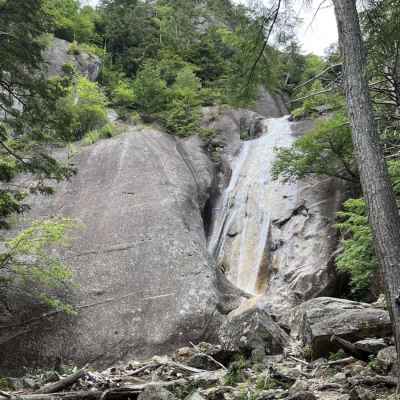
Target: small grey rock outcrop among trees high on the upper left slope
x=58 y=54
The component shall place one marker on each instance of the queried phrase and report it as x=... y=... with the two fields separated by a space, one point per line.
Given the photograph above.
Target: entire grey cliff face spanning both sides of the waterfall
x=145 y=282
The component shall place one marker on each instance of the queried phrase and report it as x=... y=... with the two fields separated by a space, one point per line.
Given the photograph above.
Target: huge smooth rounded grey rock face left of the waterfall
x=144 y=281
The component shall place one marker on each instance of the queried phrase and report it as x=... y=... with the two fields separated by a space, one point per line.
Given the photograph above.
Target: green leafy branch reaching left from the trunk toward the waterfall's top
x=326 y=150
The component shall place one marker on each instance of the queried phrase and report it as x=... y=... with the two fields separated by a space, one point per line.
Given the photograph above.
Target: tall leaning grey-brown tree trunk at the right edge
x=382 y=208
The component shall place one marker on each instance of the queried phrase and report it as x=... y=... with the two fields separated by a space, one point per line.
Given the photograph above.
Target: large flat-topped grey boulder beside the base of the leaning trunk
x=315 y=321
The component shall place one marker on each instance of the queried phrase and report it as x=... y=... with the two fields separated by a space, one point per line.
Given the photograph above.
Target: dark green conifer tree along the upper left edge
x=27 y=103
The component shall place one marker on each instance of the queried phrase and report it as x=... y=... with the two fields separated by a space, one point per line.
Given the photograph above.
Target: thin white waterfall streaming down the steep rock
x=239 y=238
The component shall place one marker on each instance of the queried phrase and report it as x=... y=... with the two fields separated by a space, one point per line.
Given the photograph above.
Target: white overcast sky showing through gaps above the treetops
x=315 y=34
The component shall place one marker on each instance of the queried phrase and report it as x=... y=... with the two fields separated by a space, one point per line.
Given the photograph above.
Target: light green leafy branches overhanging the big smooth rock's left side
x=27 y=265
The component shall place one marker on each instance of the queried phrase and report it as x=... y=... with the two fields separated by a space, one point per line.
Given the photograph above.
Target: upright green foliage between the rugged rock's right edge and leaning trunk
x=358 y=256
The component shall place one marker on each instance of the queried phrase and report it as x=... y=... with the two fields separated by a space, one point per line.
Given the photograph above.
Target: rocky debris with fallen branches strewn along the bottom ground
x=171 y=378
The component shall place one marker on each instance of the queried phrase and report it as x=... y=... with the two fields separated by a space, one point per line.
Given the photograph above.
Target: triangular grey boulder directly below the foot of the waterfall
x=249 y=329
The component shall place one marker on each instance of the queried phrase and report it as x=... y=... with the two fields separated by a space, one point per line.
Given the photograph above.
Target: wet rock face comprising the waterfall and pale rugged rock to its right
x=273 y=238
